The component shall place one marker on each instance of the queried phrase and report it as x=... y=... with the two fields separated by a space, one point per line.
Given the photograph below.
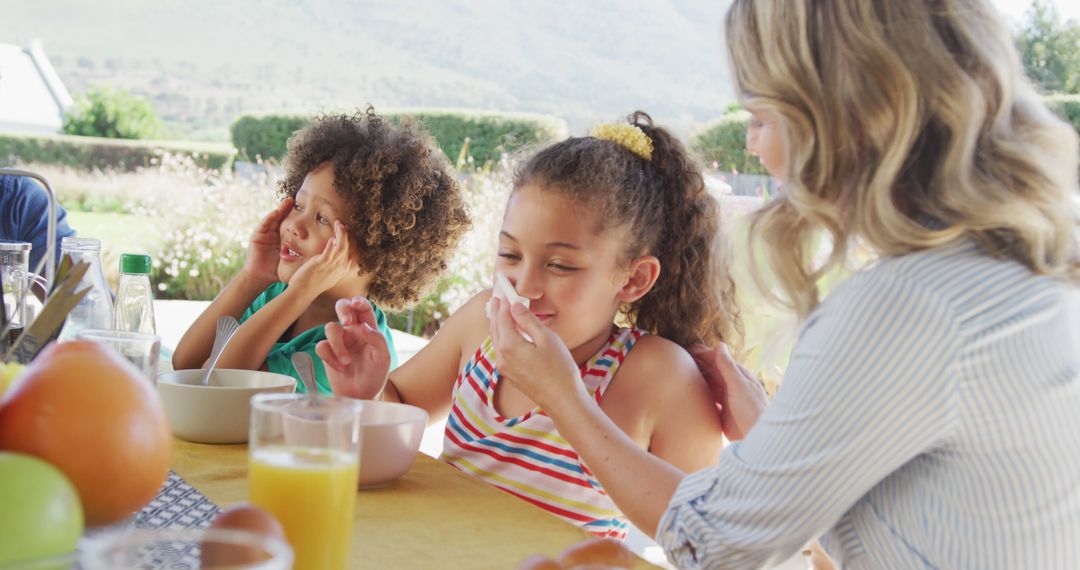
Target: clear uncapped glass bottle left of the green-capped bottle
x=96 y=309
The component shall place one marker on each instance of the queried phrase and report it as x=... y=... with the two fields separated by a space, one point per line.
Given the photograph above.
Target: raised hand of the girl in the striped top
x=356 y=352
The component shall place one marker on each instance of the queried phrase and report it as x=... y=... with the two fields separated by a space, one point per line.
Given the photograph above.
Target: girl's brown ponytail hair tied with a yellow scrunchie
x=664 y=210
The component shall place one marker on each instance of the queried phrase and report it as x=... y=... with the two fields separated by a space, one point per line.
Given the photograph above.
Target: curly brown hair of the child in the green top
x=407 y=211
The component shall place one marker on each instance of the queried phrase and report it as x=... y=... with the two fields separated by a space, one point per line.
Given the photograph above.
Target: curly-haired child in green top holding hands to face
x=369 y=209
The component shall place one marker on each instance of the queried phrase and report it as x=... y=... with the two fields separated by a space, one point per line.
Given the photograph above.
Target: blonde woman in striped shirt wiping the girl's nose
x=930 y=414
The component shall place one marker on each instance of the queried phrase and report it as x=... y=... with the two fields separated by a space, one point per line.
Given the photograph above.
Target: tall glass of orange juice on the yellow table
x=304 y=465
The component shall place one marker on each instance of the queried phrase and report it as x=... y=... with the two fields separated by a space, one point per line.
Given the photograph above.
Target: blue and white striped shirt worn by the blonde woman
x=929 y=418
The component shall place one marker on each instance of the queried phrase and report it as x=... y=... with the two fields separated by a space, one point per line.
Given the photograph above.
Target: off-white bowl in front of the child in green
x=221 y=413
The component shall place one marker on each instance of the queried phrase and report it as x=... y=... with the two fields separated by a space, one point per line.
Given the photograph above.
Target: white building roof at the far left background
x=32 y=97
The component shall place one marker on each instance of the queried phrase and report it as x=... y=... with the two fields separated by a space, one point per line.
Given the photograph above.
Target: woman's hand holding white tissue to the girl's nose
x=543 y=370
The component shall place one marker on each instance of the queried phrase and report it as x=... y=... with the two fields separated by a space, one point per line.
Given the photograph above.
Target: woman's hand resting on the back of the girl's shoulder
x=737 y=391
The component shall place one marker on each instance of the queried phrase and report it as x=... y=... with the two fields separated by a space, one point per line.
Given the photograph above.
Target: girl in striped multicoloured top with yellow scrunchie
x=599 y=229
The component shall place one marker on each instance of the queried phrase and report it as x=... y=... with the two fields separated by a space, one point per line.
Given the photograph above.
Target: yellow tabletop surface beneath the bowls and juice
x=434 y=518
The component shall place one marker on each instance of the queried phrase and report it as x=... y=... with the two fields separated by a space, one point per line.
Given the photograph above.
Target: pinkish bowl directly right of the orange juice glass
x=390 y=440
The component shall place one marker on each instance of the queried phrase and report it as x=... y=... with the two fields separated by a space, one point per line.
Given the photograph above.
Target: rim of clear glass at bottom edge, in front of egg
x=185 y=549
